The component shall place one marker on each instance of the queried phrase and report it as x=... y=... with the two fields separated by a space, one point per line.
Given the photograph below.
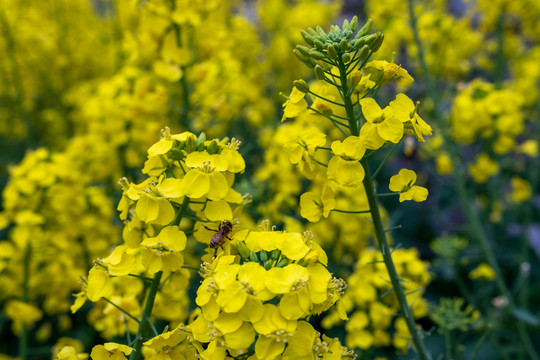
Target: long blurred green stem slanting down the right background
x=476 y=228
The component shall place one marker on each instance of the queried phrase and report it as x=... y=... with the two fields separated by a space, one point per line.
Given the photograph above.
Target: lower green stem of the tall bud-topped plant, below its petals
x=387 y=257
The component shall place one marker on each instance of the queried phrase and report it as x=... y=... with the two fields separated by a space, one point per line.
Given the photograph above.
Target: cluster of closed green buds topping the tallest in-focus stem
x=338 y=45
